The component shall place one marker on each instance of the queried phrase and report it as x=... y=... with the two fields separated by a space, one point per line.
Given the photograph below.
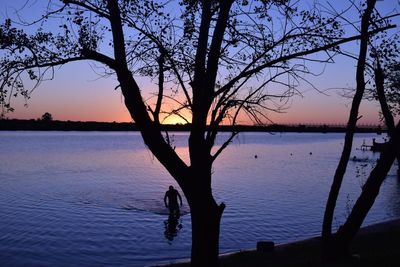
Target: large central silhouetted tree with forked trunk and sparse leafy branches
x=212 y=62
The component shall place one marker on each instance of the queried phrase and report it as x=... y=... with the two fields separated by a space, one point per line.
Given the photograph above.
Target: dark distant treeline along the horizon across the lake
x=55 y=125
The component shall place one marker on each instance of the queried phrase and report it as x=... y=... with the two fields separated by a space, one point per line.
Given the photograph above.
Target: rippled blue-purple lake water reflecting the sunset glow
x=96 y=199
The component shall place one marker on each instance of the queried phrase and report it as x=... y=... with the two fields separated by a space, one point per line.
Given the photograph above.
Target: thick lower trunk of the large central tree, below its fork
x=206 y=218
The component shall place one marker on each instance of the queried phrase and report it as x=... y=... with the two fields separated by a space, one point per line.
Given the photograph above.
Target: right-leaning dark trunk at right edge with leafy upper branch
x=385 y=85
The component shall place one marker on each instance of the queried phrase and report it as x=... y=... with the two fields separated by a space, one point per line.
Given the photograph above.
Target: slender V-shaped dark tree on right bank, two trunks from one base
x=337 y=246
